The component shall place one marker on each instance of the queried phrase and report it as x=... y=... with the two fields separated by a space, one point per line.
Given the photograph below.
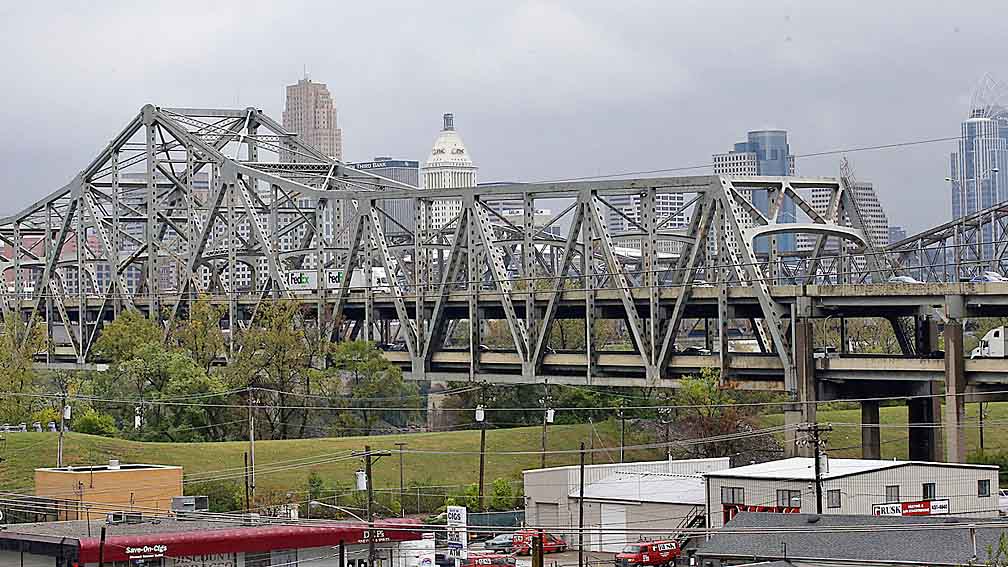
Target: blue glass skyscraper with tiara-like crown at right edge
x=979 y=168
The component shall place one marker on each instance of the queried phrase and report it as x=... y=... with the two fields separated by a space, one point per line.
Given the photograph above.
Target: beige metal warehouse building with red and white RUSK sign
x=854 y=487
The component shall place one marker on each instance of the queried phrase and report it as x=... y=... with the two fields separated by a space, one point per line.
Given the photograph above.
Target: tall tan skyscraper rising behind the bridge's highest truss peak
x=310 y=112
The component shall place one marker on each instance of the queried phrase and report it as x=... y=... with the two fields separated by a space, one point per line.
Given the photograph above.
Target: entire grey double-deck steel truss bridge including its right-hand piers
x=226 y=205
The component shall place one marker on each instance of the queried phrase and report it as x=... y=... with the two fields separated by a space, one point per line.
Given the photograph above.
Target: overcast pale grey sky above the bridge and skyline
x=541 y=90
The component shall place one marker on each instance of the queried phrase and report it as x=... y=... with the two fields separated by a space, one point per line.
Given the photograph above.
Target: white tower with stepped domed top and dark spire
x=448 y=167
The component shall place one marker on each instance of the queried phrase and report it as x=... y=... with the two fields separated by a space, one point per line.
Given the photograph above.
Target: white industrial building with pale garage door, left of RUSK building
x=618 y=498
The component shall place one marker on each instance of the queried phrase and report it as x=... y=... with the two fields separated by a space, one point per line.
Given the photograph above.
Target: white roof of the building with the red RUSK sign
x=804 y=469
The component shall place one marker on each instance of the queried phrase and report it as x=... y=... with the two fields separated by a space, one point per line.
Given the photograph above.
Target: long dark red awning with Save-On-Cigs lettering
x=241 y=539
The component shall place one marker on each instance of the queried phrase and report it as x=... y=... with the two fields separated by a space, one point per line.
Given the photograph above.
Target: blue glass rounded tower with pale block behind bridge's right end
x=766 y=153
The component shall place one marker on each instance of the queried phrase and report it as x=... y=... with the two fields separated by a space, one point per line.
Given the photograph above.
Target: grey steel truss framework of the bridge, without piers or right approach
x=225 y=204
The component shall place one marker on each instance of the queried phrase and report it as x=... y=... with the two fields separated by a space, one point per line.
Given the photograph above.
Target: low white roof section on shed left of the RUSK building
x=648 y=488
